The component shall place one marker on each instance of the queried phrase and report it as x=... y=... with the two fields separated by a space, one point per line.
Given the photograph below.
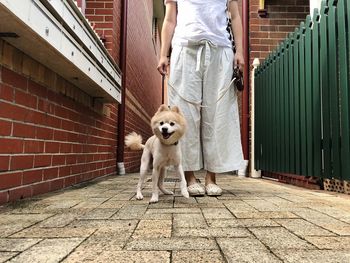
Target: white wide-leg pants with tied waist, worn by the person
x=199 y=74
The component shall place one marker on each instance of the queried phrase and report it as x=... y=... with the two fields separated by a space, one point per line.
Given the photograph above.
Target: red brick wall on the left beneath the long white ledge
x=50 y=135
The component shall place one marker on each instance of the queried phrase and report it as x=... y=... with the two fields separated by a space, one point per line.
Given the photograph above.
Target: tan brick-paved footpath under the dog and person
x=254 y=220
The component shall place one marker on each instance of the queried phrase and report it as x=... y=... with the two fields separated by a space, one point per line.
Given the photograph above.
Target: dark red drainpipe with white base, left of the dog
x=121 y=106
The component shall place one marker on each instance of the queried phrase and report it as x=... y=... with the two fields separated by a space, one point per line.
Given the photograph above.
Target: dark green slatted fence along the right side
x=302 y=98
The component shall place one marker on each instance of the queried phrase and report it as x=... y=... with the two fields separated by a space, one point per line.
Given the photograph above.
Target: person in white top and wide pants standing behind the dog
x=201 y=68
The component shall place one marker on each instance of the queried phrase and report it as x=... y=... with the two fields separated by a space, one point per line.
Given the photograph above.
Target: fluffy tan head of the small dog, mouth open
x=168 y=124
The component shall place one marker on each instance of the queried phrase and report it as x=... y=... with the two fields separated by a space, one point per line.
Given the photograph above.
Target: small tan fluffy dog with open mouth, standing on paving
x=164 y=150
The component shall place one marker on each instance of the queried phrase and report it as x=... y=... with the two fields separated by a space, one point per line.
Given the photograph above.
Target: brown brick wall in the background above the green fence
x=282 y=18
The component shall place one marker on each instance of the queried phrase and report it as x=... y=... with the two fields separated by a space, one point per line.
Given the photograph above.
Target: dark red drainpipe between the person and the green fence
x=245 y=99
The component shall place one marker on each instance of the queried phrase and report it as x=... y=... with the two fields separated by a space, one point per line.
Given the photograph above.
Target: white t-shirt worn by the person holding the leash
x=201 y=20
